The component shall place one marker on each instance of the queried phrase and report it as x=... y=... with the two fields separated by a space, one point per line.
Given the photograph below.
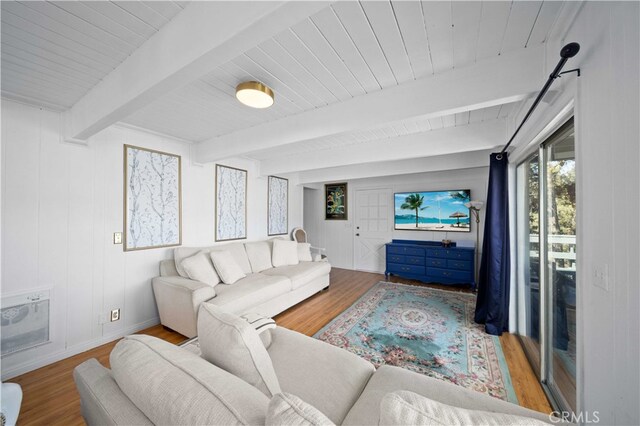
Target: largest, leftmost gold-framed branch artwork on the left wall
x=152 y=199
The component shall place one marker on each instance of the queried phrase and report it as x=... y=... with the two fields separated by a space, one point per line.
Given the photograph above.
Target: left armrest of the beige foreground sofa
x=101 y=400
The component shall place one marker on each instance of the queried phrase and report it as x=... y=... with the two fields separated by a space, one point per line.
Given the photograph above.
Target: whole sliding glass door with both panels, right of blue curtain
x=547 y=284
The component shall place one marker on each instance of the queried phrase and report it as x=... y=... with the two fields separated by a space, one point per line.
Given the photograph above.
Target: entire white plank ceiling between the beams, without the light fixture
x=54 y=52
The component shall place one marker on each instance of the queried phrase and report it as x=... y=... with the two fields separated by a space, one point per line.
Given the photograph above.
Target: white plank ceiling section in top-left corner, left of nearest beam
x=54 y=52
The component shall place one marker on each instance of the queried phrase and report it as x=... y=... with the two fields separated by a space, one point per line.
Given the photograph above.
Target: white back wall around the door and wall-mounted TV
x=337 y=236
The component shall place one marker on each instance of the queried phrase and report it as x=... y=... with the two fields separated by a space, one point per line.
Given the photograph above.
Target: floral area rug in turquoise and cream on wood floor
x=425 y=330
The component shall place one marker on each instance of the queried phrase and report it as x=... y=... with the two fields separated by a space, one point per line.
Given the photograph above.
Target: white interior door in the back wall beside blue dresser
x=372 y=228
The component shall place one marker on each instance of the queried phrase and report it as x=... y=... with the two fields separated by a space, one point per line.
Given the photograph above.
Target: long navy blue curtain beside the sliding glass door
x=492 y=306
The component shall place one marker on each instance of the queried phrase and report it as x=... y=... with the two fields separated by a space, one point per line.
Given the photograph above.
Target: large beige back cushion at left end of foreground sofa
x=156 y=375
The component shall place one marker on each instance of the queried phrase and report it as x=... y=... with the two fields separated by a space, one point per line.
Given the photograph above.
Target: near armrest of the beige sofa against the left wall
x=178 y=300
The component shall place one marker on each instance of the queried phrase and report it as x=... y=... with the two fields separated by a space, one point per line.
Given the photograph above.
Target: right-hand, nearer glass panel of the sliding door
x=561 y=262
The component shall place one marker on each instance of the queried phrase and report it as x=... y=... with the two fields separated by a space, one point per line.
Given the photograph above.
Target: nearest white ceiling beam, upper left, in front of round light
x=202 y=37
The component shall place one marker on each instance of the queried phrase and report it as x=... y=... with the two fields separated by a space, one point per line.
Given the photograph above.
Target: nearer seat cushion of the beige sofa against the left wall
x=250 y=291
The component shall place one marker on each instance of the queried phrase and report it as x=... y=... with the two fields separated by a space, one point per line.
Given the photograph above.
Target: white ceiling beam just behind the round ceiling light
x=507 y=78
